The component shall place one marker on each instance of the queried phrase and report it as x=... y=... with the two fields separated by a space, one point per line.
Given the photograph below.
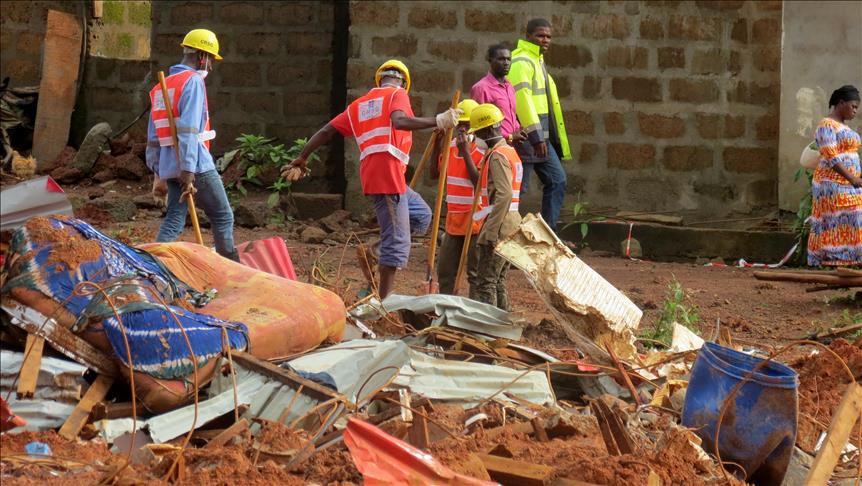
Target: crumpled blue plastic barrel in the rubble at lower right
x=758 y=430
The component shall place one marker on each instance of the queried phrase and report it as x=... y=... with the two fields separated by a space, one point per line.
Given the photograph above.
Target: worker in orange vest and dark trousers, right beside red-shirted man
x=462 y=173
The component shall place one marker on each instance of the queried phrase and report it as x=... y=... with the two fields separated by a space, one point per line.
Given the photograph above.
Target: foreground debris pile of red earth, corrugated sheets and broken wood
x=414 y=390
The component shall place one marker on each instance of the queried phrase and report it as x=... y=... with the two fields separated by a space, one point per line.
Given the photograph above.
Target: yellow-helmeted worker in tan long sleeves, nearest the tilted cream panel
x=505 y=173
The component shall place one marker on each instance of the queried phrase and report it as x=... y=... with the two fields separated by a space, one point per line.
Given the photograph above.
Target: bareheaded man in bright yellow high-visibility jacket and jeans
x=539 y=112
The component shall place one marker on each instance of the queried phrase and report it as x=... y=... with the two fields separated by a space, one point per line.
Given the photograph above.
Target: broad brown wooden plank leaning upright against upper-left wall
x=61 y=57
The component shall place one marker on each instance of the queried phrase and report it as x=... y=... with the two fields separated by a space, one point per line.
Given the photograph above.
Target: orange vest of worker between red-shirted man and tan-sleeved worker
x=459 y=190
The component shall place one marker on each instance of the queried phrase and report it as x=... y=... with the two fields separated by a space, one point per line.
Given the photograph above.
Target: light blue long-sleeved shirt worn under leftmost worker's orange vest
x=190 y=124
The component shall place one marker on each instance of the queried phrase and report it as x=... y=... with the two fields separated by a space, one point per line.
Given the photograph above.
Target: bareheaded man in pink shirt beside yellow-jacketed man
x=496 y=89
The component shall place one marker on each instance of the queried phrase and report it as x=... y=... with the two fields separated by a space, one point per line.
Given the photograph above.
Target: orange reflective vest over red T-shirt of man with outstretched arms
x=371 y=123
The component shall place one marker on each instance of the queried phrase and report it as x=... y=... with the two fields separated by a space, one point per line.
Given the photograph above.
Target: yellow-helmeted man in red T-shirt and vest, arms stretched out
x=381 y=122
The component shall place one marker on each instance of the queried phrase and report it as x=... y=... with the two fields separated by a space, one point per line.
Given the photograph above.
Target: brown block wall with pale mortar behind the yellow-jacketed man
x=669 y=105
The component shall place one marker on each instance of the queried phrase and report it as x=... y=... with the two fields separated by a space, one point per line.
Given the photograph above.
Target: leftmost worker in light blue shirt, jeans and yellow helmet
x=196 y=172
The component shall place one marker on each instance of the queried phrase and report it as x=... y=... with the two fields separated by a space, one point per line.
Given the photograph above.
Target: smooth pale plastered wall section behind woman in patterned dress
x=821 y=51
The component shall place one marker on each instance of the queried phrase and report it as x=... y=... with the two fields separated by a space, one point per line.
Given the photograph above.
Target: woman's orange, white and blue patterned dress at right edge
x=836 y=212
